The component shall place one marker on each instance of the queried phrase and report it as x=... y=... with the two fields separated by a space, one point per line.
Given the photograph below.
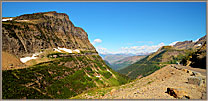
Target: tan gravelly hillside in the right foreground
x=155 y=86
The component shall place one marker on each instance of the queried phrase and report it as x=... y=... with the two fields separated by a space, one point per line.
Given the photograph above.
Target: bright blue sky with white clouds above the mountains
x=126 y=27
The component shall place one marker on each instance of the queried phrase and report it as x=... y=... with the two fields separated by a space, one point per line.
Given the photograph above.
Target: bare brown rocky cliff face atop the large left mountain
x=30 y=33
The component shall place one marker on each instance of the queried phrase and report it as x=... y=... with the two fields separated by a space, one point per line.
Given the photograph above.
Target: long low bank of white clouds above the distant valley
x=132 y=50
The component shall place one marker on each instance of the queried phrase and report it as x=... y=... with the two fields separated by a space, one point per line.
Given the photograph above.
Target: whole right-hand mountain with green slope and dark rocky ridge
x=181 y=52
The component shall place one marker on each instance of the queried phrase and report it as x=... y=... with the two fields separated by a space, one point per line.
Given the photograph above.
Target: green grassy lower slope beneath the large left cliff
x=54 y=80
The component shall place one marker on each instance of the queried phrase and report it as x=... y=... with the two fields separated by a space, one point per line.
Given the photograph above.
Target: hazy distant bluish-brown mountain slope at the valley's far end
x=120 y=64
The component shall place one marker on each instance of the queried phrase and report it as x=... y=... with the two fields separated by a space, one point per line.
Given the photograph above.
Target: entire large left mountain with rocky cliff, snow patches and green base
x=50 y=58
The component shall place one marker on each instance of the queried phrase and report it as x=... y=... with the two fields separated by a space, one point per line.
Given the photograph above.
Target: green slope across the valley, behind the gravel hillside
x=153 y=62
